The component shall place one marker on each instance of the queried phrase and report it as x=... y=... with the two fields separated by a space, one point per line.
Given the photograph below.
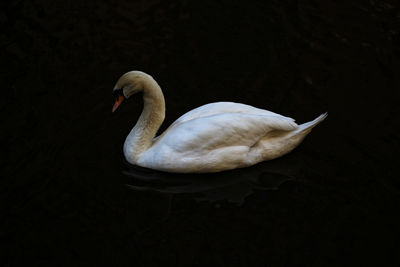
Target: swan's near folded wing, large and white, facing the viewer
x=203 y=134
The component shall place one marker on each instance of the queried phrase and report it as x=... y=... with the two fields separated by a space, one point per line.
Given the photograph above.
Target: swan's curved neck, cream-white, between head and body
x=141 y=136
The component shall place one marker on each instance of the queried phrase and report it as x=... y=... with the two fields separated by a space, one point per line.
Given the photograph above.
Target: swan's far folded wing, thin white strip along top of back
x=224 y=107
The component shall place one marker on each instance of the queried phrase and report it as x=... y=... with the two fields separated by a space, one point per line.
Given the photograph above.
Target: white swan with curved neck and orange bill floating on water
x=211 y=138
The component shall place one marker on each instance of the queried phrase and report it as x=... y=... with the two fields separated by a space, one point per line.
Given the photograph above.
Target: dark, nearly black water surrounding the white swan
x=64 y=194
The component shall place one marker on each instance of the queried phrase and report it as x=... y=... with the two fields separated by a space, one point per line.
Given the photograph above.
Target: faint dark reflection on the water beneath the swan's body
x=233 y=186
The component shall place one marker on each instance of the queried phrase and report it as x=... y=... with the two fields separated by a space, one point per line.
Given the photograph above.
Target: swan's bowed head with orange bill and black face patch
x=130 y=83
